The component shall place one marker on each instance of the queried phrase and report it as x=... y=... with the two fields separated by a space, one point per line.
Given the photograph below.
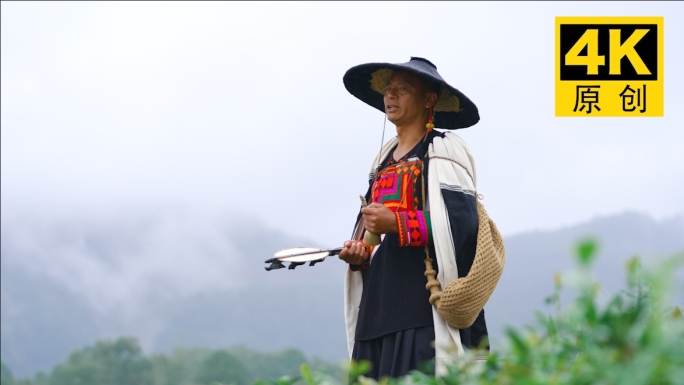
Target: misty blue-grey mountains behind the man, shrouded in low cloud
x=179 y=278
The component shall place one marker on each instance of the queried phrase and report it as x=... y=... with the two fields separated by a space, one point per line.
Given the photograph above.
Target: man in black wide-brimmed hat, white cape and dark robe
x=422 y=199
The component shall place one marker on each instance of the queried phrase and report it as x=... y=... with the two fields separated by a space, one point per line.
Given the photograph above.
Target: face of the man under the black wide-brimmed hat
x=405 y=99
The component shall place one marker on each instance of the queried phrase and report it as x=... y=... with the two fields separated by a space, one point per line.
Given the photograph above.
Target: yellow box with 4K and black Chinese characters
x=609 y=66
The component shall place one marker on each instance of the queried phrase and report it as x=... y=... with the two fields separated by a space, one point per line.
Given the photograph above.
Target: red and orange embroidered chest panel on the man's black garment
x=398 y=186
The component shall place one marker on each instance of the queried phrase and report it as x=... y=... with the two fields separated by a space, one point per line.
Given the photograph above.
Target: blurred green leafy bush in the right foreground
x=632 y=338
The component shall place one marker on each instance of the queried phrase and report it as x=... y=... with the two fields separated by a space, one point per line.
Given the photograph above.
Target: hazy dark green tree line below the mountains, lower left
x=122 y=362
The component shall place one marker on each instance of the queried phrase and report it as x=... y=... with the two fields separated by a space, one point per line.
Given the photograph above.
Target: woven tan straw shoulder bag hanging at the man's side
x=463 y=298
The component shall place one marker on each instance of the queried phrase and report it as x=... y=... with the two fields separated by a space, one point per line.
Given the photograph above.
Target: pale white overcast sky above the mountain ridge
x=229 y=107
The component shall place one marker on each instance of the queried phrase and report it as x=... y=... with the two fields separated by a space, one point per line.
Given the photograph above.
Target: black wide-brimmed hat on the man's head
x=452 y=110
